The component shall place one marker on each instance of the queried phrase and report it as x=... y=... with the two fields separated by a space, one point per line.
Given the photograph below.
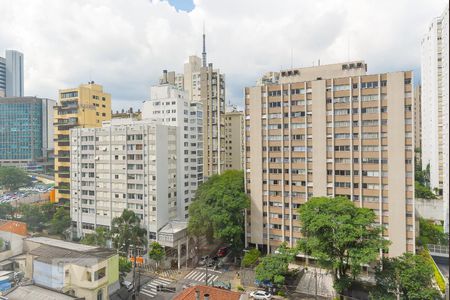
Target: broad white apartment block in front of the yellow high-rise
x=123 y=165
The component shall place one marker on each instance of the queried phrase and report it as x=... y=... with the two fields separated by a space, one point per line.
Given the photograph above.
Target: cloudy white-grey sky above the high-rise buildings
x=125 y=44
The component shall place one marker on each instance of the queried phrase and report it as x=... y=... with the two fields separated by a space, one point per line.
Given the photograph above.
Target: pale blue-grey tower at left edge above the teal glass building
x=11 y=74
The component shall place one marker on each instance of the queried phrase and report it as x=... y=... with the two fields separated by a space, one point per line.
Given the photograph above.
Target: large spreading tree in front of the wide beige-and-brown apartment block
x=341 y=236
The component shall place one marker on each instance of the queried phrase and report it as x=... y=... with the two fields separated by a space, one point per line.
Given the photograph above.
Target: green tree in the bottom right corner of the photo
x=409 y=276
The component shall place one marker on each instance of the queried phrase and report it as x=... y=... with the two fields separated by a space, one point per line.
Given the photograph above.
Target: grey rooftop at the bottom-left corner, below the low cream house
x=36 y=293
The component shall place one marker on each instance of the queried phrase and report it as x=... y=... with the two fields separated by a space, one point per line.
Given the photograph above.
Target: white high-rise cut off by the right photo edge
x=435 y=105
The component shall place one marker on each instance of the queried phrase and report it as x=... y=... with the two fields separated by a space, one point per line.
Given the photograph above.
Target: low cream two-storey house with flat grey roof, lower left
x=82 y=271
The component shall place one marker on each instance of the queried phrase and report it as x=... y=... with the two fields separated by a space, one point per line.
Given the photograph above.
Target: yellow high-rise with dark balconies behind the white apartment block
x=84 y=106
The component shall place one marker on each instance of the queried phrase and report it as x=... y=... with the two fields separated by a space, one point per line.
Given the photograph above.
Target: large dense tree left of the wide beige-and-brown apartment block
x=217 y=211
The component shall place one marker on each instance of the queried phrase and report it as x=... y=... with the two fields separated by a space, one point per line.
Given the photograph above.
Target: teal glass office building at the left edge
x=26 y=132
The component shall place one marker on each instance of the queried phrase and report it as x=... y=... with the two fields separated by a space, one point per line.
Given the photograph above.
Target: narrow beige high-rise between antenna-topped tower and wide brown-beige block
x=234 y=140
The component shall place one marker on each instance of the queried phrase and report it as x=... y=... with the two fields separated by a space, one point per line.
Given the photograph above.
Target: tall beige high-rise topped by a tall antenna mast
x=206 y=84
